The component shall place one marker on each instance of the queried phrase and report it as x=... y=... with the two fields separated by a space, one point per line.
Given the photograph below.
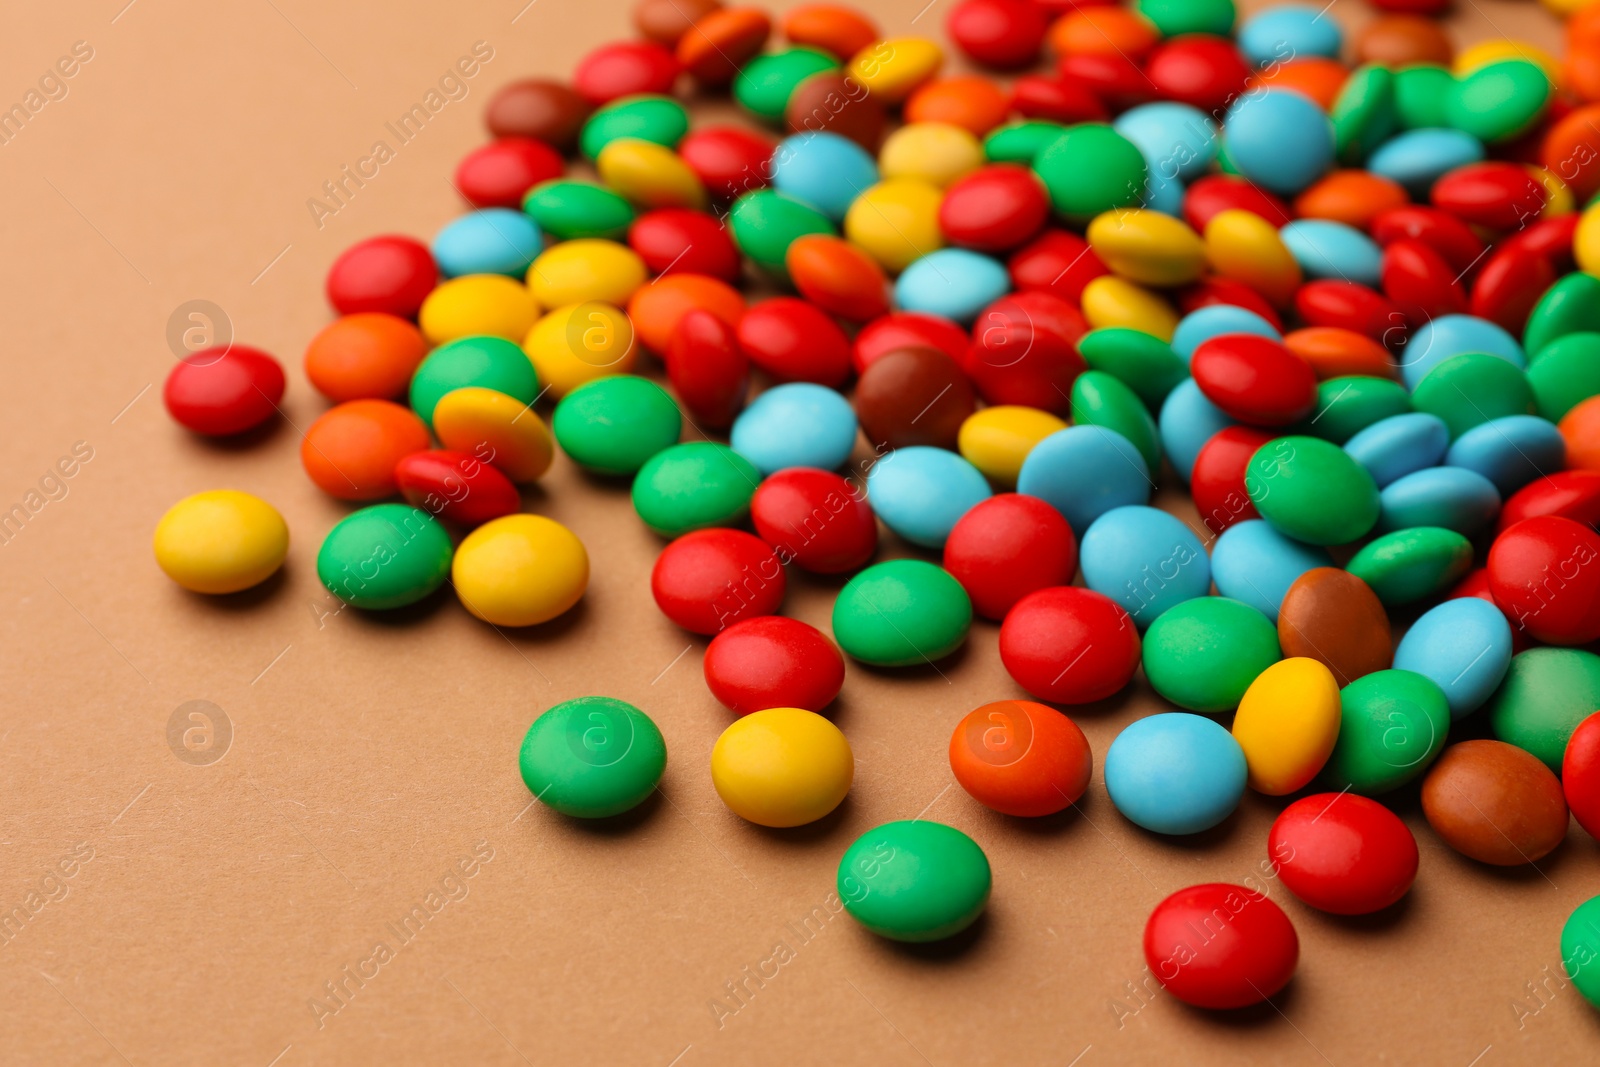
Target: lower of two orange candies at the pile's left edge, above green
x=351 y=452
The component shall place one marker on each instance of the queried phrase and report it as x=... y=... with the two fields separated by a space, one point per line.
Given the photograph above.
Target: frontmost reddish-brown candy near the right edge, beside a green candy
x=1495 y=804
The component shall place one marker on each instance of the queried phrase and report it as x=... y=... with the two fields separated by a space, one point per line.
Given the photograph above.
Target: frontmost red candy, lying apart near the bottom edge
x=1222 y=946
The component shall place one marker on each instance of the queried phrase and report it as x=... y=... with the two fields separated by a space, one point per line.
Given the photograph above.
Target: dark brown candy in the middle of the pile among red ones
x=914 y=396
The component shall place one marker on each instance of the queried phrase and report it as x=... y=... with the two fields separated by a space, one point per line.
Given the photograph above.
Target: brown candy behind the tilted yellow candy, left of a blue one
x=1335 y=618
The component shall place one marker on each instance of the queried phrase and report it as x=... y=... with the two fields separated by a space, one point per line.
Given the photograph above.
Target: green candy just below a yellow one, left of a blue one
x=615 y=425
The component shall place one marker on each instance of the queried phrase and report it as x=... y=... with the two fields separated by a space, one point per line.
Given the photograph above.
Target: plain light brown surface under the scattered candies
x=372 y=753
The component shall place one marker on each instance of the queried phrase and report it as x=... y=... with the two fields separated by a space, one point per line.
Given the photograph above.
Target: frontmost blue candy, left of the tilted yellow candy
x=1175 y=773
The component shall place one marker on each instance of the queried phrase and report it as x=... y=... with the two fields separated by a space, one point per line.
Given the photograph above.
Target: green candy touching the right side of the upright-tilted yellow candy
x=1393 y=724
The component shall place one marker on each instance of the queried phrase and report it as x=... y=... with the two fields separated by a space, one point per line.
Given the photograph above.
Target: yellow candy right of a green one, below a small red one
x=521 y=570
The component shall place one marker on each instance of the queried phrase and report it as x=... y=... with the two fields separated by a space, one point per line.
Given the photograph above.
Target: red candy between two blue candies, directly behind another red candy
x=1009 y=548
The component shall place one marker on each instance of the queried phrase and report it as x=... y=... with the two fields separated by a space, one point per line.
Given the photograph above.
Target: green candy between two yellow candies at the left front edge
x=383 y=557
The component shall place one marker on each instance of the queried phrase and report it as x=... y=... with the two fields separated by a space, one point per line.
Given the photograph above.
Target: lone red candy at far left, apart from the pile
x=225 y=391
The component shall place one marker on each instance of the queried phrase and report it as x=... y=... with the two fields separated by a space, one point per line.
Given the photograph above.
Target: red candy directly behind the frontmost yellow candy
x=772 y=661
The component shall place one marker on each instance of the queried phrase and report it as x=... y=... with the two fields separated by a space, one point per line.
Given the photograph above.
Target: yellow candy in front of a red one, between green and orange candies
x=782 y=767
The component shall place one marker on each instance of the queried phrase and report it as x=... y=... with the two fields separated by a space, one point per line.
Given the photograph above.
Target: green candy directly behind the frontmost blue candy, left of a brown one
x=1204 y=653
